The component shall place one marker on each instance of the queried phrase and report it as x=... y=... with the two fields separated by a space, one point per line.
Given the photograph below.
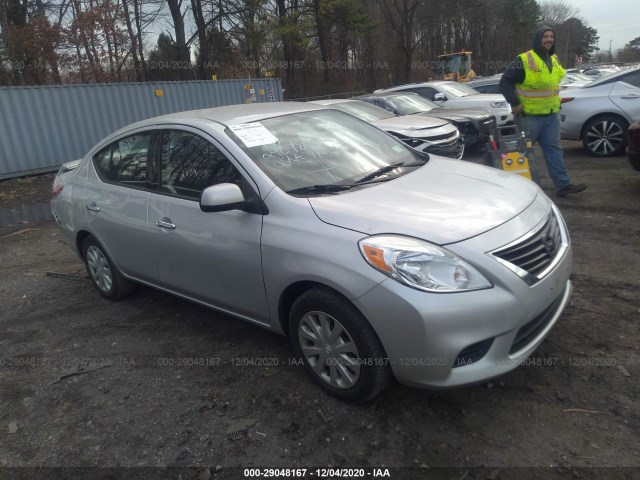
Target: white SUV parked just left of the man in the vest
x=458 y=95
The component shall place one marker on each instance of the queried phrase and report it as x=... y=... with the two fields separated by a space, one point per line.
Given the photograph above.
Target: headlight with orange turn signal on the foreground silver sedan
x=420 y=264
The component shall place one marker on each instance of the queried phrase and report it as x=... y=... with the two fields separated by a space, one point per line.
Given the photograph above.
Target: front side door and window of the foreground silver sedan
x=212 y=257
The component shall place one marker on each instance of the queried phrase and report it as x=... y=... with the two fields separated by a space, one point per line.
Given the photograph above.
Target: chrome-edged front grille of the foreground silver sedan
x=533 y=255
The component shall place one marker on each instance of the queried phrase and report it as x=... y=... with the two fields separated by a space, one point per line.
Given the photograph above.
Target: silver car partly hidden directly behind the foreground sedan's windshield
x=431 y=135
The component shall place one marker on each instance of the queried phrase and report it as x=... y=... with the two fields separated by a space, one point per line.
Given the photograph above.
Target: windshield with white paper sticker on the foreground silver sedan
x=320 y=149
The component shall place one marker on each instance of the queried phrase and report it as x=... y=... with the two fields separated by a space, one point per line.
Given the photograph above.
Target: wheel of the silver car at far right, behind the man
x=605 y=136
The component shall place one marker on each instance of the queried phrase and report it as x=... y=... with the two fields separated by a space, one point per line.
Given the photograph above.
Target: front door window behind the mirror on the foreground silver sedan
x=189 y=164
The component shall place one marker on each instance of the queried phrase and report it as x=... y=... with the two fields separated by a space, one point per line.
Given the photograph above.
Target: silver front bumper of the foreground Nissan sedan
x=449 y=340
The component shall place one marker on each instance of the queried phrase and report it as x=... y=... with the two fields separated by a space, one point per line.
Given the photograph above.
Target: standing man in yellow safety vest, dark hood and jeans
x=531 y=85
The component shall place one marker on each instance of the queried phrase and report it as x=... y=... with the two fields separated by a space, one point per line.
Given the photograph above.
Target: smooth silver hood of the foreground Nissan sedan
x=445 y=201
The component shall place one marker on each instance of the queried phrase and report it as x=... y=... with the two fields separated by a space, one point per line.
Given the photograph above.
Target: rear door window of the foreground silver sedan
x=125 y=161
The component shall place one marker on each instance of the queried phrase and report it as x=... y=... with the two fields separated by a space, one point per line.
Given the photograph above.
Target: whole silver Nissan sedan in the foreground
x=374 y=259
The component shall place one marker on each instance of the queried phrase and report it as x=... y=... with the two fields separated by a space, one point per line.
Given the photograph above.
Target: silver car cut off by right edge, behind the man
x=600 y=112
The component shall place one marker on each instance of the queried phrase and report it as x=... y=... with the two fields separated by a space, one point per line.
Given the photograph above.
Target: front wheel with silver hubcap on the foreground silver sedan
x=352 y=364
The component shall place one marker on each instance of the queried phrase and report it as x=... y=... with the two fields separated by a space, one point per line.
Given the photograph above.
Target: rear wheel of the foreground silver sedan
x=103 y=274
